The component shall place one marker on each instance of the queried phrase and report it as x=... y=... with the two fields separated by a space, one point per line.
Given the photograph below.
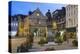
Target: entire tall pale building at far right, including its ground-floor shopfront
x=72 y=20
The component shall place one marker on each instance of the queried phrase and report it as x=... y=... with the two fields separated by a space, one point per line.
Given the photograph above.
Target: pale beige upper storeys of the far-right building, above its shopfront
x=71 y=17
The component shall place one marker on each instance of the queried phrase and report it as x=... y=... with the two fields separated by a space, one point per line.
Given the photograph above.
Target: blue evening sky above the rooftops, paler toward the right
x=19 y=7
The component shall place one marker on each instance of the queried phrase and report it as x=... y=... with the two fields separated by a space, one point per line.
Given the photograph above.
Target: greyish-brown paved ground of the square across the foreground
x=65 y=45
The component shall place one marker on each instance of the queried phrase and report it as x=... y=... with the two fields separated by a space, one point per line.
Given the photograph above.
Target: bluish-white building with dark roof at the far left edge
x=13 y=25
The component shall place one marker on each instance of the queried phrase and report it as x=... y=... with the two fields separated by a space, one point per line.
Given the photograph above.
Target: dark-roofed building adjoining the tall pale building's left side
x=59 y=17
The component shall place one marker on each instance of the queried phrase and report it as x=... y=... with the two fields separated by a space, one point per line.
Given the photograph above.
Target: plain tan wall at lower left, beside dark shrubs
x=15 y=42
